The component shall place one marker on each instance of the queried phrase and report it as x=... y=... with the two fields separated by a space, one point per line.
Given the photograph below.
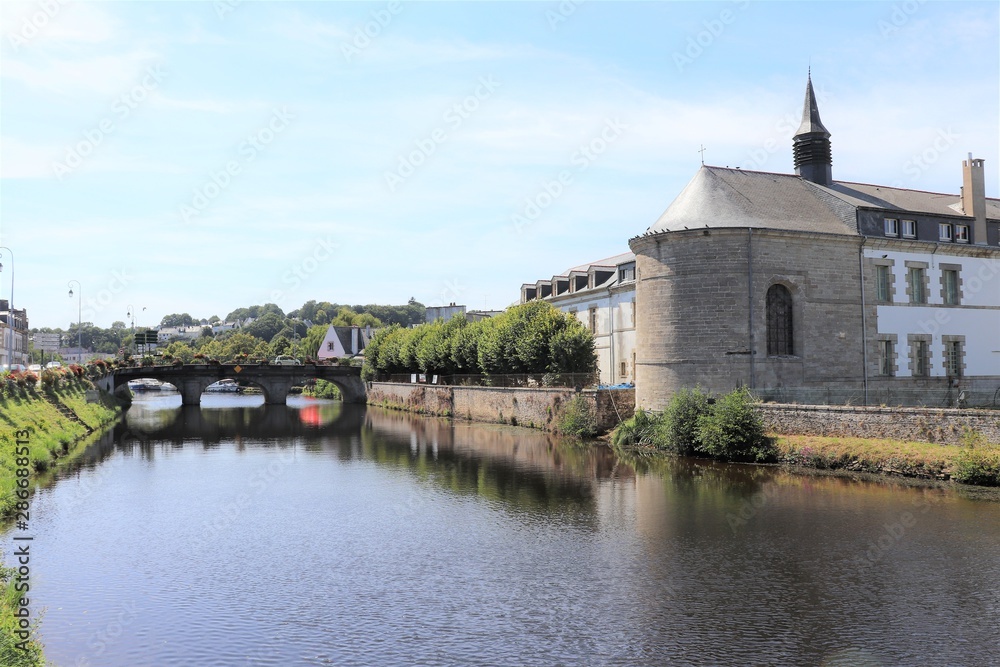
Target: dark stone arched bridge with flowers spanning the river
x=275 y=381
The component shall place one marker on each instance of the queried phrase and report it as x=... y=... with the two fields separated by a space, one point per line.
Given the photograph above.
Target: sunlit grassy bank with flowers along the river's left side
x=38 y=427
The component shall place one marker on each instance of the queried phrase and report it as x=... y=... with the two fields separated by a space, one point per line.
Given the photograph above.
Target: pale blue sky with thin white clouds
x=199 y=157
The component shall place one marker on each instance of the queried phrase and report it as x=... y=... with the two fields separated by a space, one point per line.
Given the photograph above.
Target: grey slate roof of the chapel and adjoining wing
x=720 y=197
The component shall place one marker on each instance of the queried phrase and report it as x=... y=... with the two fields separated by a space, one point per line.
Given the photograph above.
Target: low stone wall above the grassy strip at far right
x=944 y=426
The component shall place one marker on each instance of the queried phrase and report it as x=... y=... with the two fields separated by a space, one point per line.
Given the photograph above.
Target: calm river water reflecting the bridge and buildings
x=322 y=534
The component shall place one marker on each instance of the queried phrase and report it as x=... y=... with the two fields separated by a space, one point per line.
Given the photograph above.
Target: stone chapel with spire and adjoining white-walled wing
x=807 y=289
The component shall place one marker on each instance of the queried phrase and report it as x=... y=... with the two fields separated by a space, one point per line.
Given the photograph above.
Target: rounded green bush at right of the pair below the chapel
x=733 y=430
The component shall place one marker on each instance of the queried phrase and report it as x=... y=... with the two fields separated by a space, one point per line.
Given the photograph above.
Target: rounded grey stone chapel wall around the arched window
x=701 y=298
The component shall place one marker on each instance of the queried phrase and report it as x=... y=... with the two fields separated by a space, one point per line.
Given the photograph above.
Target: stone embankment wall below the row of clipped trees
x=535 y=407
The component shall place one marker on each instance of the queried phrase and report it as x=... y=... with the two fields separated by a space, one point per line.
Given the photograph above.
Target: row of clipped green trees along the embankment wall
x=533 y=338
